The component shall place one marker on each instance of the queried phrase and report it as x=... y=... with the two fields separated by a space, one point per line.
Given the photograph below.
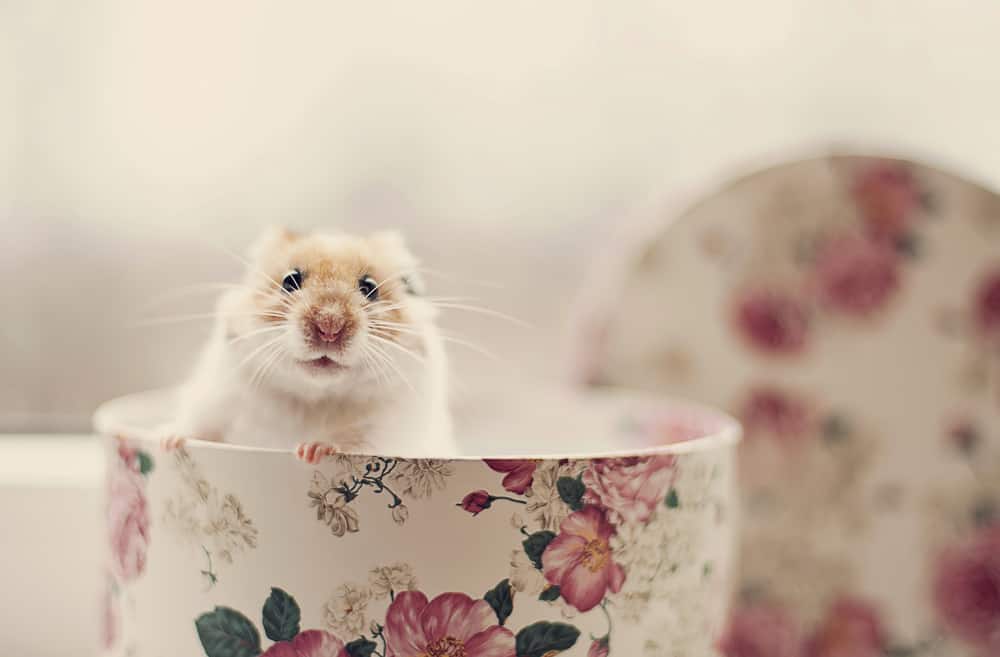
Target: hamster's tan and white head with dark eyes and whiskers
x=330 y=312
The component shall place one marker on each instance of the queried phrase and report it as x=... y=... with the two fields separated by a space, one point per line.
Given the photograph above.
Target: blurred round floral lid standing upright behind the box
x=847 y=309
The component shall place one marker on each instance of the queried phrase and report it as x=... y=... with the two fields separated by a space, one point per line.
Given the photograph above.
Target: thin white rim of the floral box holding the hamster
x=107 y=422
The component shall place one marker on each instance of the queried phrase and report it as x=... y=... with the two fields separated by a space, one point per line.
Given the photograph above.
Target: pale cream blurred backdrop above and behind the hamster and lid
x=508 y=141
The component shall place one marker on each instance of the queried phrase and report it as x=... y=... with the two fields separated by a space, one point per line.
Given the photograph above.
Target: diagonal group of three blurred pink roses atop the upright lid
x=849 y=266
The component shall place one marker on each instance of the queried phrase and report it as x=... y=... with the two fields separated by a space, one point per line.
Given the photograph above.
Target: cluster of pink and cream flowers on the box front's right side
x=611 y=535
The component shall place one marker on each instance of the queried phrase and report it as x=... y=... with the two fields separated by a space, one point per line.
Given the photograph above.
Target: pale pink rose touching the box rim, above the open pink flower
x=629 y=488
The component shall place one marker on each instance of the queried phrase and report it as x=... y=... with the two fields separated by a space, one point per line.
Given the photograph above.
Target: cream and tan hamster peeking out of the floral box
x=327 y=346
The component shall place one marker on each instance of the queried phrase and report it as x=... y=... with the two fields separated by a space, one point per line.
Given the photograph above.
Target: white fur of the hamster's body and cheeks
x=357 y=408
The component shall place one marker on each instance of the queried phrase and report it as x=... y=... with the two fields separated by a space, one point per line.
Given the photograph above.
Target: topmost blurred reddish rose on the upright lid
x=887 y=196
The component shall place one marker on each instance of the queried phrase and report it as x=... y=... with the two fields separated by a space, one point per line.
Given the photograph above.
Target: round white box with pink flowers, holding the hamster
x=603 y=525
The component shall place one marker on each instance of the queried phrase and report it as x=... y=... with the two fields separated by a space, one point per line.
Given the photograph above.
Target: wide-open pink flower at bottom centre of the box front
x=450 y=625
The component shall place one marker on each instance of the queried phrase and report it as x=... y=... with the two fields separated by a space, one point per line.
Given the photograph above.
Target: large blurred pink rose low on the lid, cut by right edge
x=967 y=590
